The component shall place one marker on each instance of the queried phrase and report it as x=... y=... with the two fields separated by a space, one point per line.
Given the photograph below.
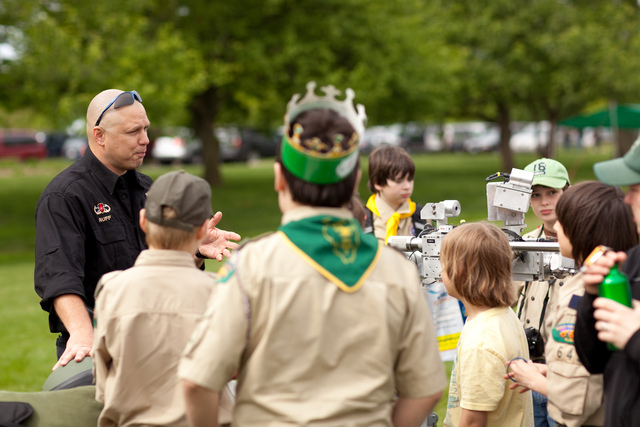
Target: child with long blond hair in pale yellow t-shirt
x=476 y=269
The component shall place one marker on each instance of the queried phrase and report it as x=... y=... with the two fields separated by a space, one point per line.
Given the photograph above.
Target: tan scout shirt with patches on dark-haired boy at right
x=575 y=396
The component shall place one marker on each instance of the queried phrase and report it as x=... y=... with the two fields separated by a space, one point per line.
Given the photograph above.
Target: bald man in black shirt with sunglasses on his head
x=87 y=220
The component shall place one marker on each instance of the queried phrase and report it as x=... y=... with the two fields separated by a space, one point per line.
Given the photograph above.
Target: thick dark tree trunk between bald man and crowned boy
x=204 y=110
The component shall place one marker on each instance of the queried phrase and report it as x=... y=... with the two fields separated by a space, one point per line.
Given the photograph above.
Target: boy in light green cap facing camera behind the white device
x=538 y=299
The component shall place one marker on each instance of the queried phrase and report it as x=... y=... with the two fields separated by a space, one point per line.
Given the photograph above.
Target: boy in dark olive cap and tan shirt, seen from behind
x=144 y=315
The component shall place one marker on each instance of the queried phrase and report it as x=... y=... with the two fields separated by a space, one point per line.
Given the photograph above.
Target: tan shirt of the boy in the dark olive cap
x=144 y=317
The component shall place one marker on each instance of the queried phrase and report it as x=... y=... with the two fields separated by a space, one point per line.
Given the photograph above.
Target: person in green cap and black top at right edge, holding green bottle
x=601 y=321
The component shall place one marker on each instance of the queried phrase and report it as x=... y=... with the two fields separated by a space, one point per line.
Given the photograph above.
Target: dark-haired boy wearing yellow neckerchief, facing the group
x=390 y=211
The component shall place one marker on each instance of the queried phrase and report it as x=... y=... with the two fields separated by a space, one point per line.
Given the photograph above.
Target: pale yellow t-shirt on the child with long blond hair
x=487 y=343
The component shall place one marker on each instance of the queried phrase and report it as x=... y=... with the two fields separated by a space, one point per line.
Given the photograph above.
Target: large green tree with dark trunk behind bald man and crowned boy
x=221 y=62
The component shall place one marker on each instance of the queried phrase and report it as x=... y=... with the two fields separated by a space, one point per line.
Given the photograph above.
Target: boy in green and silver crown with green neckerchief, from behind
x=323 y=324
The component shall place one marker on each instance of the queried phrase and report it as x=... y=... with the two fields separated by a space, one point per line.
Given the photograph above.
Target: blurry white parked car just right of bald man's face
x=176 y=144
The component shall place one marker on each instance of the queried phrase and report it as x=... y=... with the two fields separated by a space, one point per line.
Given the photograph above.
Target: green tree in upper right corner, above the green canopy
x=541 y=59
